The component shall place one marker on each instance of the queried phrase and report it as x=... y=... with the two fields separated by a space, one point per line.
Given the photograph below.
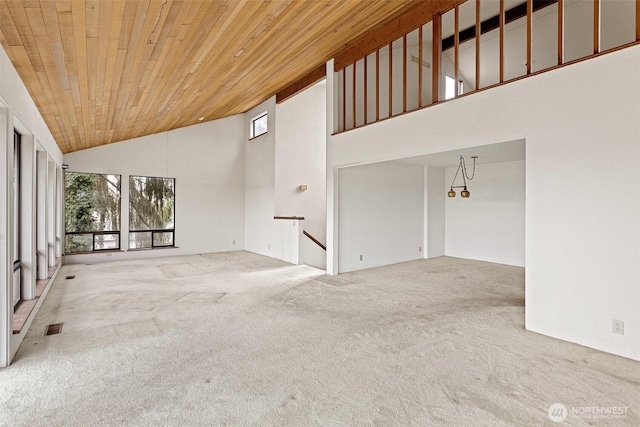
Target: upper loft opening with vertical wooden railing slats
x=475 y=45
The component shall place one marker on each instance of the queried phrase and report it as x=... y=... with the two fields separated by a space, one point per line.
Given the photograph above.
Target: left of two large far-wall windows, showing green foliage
x=92 y=212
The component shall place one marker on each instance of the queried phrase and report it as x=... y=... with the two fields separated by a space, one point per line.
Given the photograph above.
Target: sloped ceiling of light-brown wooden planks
x=102 y=71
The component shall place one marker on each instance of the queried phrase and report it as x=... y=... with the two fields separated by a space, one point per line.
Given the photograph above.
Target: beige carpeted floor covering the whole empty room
x=240 y=339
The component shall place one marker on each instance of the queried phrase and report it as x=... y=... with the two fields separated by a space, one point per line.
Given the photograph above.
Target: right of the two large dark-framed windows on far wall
x=151 y=212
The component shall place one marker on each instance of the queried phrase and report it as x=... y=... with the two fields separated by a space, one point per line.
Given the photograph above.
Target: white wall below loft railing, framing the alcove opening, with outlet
x=582 y=144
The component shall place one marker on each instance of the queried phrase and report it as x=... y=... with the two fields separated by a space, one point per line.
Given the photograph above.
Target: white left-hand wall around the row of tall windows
x=18 y=111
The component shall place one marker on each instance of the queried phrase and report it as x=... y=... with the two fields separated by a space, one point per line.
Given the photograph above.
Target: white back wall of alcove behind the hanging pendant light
x=489 y=225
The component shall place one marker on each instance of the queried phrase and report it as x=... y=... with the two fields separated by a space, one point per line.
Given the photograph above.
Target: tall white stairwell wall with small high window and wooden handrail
x=290 y=154
